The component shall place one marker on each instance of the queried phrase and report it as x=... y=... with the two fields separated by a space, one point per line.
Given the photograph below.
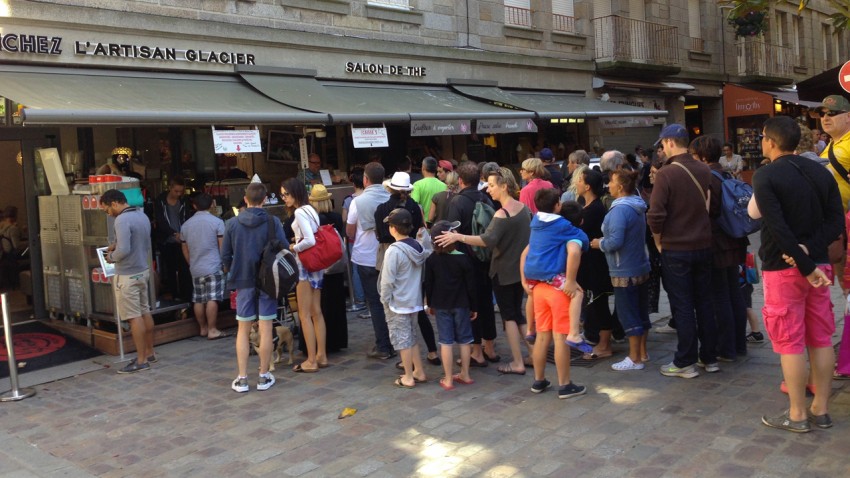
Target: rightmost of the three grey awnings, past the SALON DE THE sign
x=553 y=105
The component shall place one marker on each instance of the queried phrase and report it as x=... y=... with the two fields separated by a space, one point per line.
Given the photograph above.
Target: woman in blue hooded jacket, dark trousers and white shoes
x=623 y=232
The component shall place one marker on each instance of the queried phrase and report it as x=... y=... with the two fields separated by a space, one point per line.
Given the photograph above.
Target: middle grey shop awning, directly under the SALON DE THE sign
x=374 y=102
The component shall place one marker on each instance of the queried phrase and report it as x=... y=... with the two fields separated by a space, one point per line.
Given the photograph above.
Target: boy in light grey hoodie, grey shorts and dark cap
x=401 y=294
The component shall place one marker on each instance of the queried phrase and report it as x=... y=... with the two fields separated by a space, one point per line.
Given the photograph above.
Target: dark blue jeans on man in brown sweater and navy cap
x=687 y=278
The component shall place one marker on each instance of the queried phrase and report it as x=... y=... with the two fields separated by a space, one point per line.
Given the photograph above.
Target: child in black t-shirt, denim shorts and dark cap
x=449 y=291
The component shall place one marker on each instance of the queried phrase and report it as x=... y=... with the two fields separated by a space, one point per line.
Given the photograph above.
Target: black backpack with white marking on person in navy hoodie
x=277 y=271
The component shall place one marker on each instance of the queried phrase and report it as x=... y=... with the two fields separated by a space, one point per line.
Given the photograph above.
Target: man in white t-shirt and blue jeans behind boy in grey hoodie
x=361 y=228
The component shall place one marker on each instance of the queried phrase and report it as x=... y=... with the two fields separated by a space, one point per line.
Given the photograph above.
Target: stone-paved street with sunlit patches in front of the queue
x=182 y=419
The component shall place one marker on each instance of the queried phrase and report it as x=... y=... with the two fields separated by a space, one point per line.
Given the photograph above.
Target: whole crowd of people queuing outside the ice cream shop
x=468 y=239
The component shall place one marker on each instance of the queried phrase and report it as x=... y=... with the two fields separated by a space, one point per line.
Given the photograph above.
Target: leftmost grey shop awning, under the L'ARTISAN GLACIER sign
x=57 y=96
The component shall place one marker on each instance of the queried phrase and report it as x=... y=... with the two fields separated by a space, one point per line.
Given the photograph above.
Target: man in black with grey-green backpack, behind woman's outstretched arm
x=474 y=210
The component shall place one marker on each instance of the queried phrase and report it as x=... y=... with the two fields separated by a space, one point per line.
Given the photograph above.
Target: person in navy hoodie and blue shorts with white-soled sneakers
x=244 y=241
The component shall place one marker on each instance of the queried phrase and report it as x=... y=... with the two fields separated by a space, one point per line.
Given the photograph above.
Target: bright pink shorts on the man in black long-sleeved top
x=797 y=315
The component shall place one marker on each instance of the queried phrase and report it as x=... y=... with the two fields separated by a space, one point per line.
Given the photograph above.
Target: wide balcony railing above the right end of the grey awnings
x=624 y=39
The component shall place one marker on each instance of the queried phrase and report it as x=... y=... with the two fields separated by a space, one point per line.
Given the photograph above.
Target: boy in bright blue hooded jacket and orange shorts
x=549 y=265
